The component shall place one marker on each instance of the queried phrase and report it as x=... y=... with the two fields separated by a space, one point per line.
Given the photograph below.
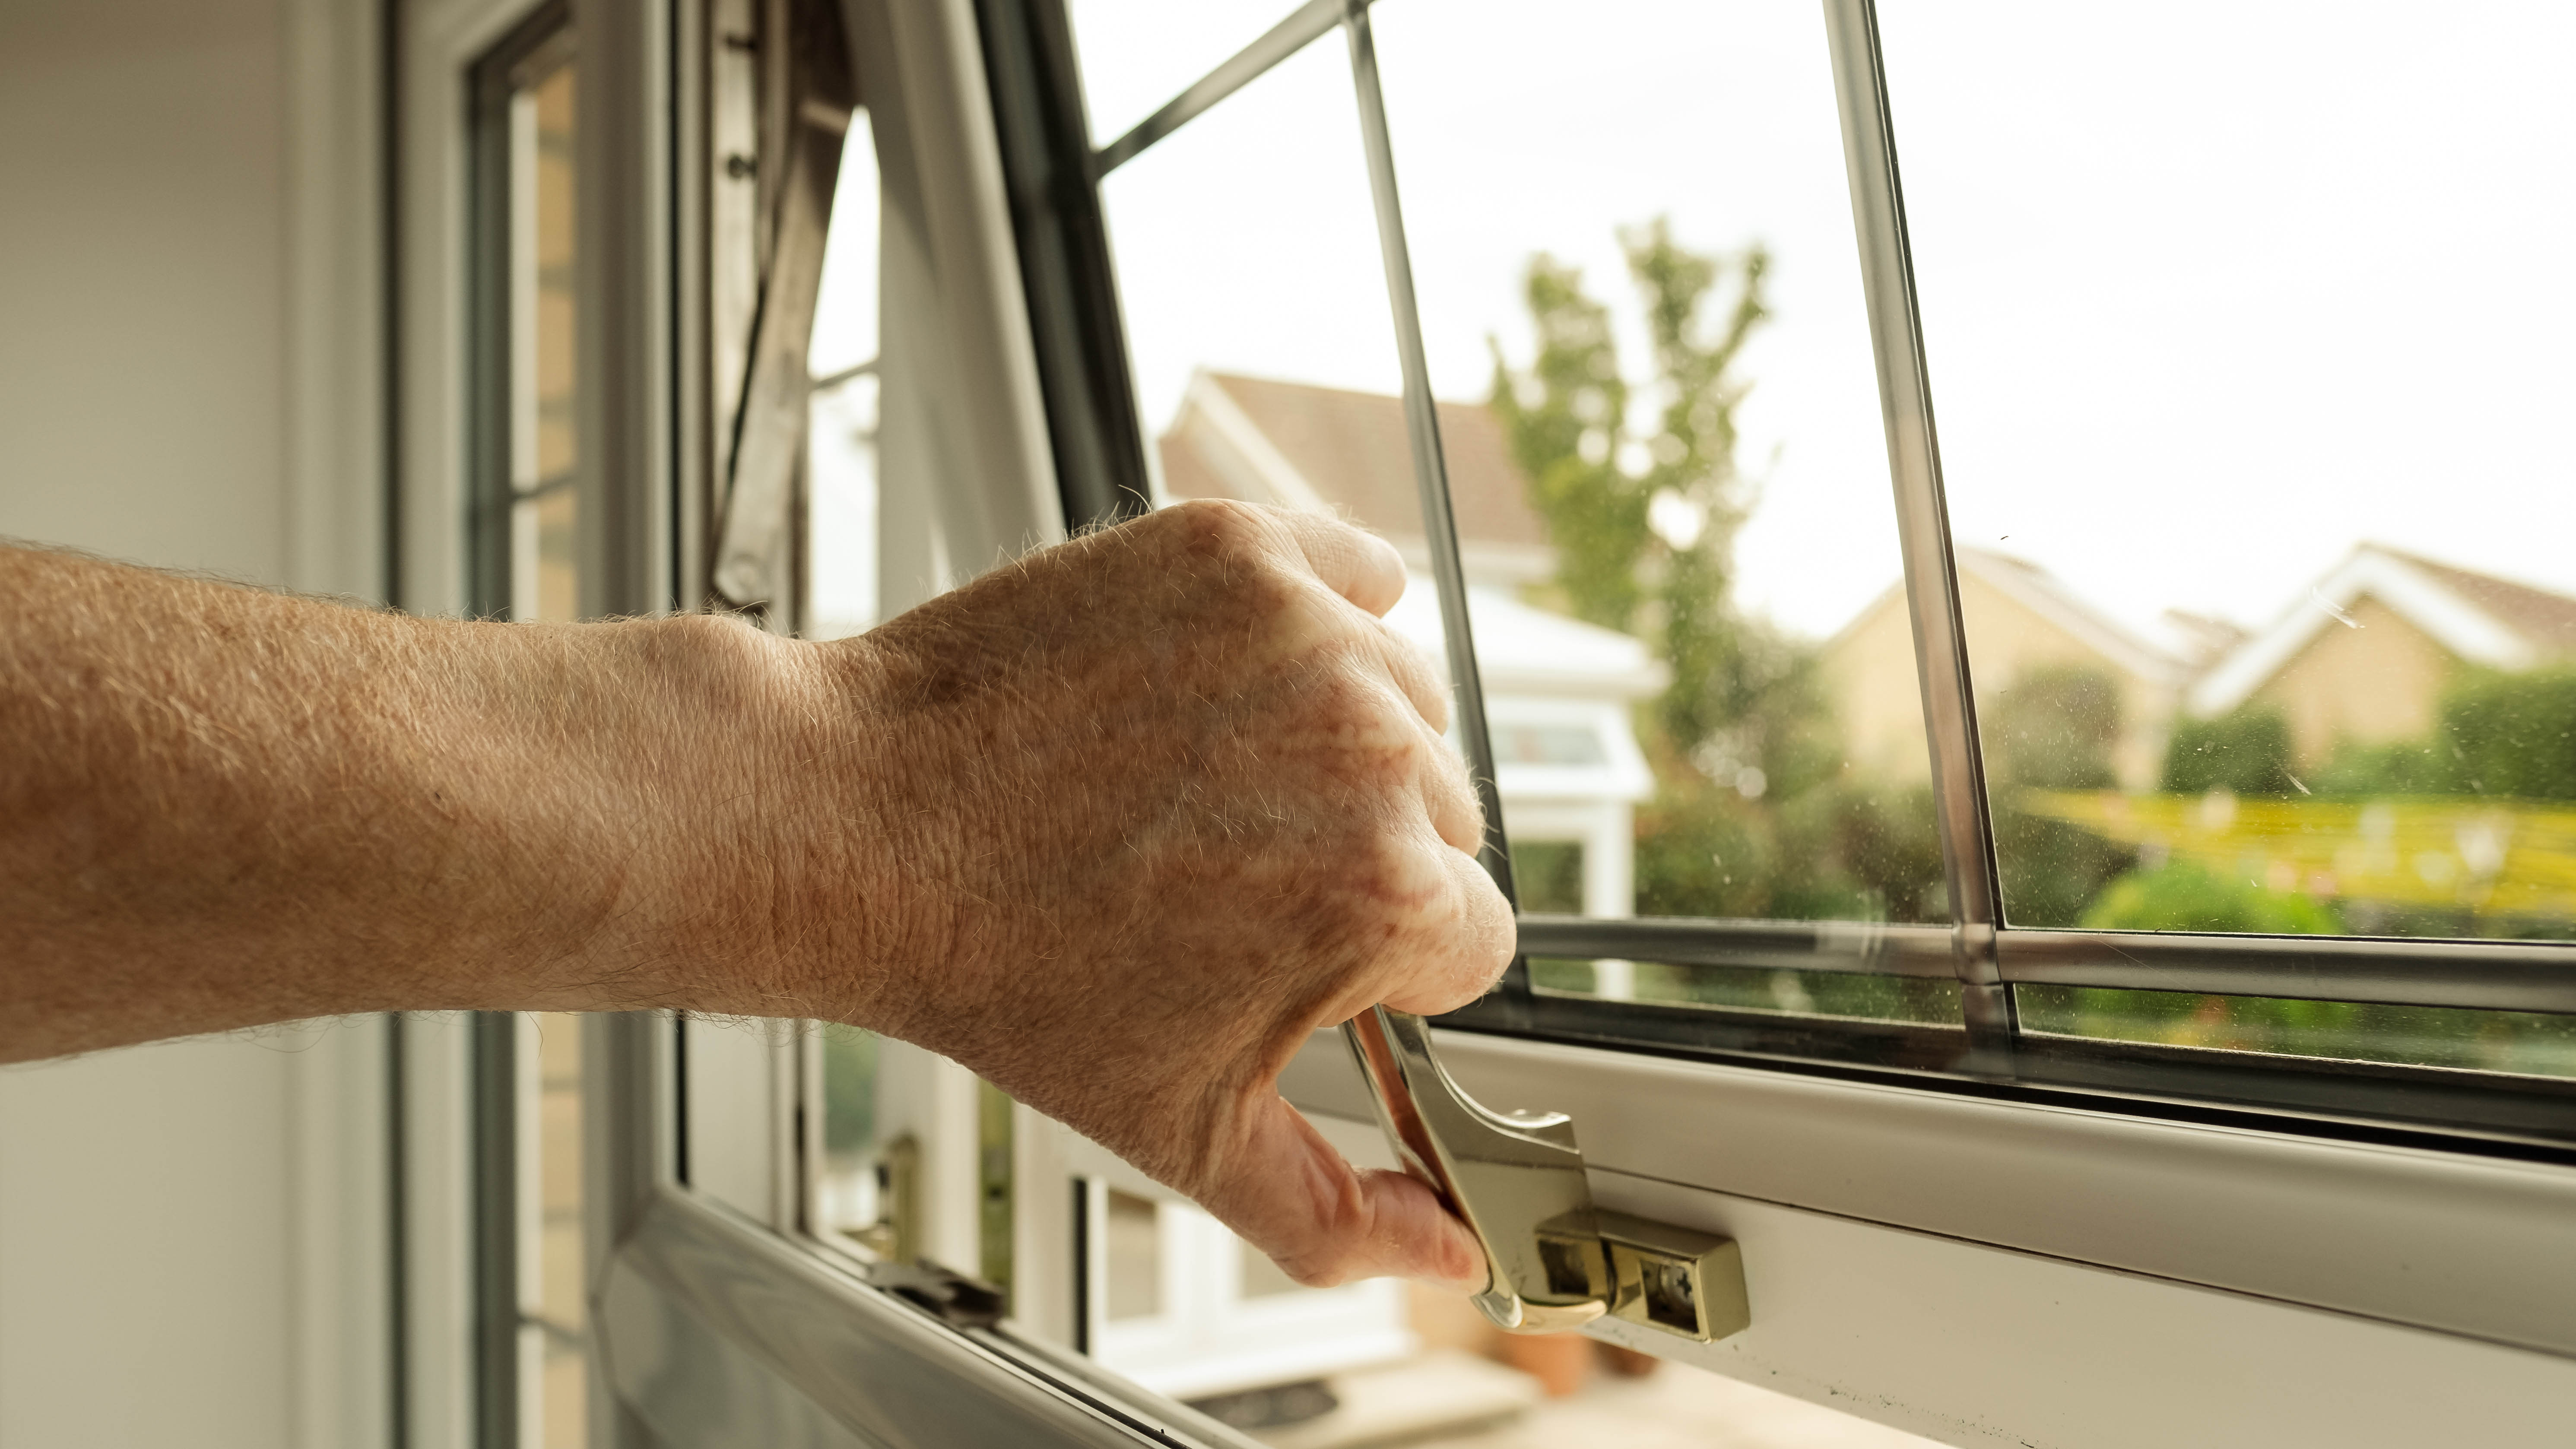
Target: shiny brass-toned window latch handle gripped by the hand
x=1555 y=1260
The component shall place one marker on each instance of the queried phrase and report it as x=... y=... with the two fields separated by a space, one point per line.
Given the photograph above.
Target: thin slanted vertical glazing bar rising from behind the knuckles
x=1431 y=470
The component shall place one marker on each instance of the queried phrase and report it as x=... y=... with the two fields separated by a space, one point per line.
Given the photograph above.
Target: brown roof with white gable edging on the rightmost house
x=2477 y=616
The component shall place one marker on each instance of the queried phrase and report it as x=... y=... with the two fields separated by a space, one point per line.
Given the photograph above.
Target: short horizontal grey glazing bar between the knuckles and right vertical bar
x=1859 y=948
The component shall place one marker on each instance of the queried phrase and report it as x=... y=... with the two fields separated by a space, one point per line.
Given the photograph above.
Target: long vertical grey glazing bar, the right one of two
x=1923 y=526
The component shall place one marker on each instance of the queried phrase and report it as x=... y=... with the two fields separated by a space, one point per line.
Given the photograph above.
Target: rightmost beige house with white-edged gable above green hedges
x=2366 y=652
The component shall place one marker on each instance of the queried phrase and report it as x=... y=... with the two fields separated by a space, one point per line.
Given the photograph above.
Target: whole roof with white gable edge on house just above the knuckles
x=1346 y=454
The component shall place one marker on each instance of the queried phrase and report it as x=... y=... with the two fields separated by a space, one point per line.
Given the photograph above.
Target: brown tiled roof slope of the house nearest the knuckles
x=1354 y=452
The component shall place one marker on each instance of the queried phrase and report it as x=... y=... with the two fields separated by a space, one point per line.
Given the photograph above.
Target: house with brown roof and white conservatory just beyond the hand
x=1557 y=691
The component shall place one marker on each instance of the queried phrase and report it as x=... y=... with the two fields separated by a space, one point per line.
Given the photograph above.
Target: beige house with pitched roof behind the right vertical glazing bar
x=2018 y=619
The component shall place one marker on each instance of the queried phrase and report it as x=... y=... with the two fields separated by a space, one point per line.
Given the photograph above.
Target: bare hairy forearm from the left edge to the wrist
x=223 y=807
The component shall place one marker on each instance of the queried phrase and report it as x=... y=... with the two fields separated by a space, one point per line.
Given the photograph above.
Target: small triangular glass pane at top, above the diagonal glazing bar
x=1145 y=53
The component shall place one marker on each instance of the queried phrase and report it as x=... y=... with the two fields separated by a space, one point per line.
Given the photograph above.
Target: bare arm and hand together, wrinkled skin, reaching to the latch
x=1114 y=827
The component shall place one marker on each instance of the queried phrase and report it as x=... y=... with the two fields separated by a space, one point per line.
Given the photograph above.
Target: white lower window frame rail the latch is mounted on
x=1990 y=1270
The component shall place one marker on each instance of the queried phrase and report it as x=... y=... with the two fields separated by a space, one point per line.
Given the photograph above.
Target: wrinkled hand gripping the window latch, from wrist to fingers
x=1124 y=825
